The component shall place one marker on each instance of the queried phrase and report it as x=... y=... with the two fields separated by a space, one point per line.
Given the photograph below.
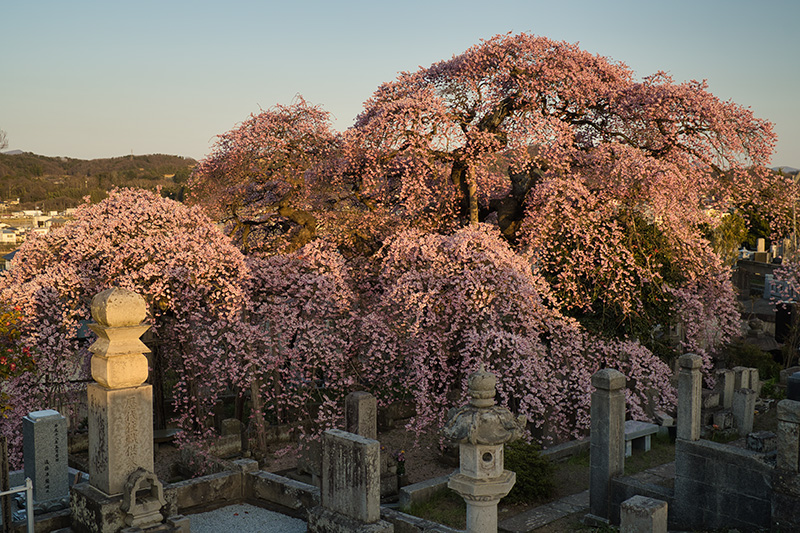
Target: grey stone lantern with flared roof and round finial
x=481 y=429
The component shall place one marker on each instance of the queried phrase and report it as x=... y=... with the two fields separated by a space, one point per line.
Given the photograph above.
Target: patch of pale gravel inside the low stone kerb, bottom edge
x=244 y=518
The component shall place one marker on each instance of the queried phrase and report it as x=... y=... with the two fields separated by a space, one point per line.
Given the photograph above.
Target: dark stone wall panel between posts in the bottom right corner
x=718 y=486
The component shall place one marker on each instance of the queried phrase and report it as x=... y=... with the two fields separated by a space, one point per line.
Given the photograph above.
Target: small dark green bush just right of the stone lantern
x=534 y=472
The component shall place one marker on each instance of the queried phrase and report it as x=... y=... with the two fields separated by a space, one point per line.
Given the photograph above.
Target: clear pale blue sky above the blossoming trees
x=106 y=78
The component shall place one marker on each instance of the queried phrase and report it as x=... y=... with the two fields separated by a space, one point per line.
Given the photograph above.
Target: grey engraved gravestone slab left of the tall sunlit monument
x=44 y=452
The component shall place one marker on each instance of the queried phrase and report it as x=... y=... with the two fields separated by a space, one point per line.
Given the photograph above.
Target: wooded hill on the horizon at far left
x=56 y=183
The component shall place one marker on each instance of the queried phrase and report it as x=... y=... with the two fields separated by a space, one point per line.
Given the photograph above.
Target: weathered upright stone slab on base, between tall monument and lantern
x=350 y=493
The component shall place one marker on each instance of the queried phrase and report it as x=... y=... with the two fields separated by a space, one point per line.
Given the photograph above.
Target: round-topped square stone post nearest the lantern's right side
x=607 y=440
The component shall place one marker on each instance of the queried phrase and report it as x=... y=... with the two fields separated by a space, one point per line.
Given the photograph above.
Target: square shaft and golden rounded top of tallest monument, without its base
x=120 y=404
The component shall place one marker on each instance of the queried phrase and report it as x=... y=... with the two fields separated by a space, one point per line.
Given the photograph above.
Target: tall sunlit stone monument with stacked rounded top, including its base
x=122 y=489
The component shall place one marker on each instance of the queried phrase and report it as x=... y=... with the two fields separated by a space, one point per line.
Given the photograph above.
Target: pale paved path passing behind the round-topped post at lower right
x=533 y=519
